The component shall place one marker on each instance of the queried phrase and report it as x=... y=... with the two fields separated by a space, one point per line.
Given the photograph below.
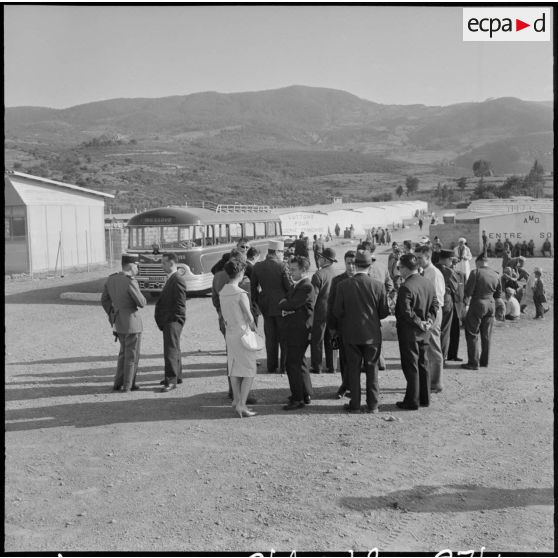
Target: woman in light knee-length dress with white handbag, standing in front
x=235 y=309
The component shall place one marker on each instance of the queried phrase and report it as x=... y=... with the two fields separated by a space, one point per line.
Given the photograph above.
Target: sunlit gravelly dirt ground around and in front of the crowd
x=92 y=470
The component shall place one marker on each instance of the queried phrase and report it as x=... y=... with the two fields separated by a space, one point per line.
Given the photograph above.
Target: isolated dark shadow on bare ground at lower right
x=452 y=498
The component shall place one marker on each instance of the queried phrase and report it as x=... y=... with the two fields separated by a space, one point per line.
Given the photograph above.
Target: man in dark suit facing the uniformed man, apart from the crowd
x=170 y=316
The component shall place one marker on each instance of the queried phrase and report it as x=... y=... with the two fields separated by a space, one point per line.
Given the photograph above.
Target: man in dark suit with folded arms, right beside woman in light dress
x=296 y=311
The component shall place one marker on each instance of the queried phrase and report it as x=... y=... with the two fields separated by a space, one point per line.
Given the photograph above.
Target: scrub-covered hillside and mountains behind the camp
x=296 y=144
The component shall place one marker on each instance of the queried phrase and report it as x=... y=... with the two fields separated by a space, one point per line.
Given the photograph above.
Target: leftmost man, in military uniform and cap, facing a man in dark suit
x=121 y=300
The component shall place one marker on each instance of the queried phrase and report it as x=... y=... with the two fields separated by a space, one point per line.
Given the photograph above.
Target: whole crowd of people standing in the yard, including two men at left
x=430 y=291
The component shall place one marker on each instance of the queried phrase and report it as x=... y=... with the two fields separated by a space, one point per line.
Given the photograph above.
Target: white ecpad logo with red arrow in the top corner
x=506 y=24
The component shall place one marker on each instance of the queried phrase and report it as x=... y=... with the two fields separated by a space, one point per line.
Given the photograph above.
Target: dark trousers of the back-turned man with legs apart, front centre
x=359 y=356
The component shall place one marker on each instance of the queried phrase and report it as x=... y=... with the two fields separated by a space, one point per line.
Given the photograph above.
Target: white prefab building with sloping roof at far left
x=51 y=225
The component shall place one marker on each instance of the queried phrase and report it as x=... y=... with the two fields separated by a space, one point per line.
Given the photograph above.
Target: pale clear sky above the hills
x=61 y=56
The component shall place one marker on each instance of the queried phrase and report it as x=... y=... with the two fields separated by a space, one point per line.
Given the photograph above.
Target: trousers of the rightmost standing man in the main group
x=478 y=322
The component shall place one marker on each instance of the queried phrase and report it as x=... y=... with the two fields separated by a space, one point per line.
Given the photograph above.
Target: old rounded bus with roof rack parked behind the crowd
x=199 y=236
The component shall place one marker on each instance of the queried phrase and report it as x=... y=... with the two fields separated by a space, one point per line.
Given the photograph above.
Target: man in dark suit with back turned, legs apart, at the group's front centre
x=360 y=304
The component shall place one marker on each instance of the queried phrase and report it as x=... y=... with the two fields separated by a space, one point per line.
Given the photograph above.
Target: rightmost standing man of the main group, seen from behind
x=481 y=290
